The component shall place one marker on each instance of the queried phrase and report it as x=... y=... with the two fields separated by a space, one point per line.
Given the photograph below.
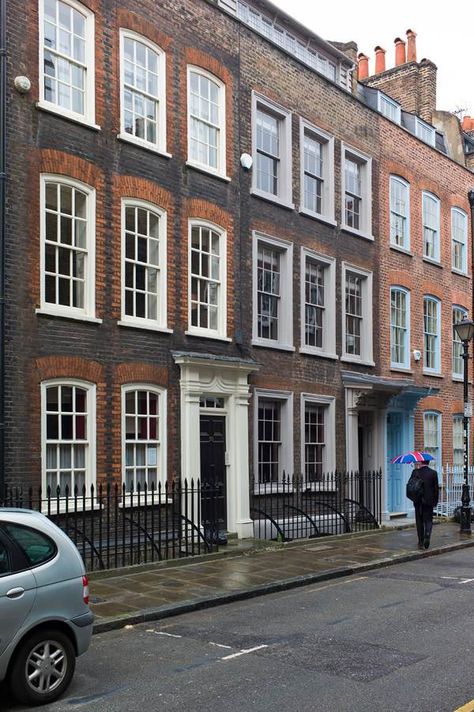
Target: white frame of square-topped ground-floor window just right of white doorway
x=286 y=463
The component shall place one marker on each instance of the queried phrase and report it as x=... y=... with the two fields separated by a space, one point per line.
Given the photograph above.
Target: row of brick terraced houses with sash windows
x=199 y=255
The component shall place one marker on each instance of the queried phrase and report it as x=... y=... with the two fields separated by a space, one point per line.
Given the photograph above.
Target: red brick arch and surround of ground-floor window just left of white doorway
x=130 y=373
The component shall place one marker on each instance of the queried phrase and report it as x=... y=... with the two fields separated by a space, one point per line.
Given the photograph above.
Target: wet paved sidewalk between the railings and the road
x=249 y=568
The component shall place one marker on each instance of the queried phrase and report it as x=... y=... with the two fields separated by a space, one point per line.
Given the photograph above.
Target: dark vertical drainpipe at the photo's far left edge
x=3 y=140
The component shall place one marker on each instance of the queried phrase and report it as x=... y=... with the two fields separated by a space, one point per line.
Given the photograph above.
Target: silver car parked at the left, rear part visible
x=45 y=620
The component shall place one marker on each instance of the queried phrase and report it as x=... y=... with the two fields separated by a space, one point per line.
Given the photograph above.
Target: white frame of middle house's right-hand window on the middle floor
x=366 y=356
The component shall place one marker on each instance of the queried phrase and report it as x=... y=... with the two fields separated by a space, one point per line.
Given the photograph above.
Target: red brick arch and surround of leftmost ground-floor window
x=48 y=368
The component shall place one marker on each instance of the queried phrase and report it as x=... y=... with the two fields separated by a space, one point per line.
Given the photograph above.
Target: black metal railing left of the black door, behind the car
x=114 y=527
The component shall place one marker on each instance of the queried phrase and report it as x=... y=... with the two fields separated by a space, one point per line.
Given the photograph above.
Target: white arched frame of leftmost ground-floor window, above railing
x=90 y=460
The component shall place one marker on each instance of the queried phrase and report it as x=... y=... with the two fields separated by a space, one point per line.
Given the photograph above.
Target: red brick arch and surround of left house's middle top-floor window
x=127 y=20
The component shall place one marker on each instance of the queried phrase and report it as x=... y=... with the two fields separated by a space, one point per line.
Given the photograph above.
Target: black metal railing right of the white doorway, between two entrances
x=335 y=503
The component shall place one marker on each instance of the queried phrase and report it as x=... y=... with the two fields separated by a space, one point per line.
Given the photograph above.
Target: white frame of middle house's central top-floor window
x=327 y=173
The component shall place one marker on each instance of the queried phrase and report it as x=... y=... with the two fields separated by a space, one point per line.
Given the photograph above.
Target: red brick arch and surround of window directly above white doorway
x=196 y=210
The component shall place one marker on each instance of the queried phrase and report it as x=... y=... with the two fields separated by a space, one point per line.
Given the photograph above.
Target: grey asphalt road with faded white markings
x=396 y=639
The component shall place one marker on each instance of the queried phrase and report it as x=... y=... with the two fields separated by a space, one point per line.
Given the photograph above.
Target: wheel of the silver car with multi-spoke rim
x=43 y=667
